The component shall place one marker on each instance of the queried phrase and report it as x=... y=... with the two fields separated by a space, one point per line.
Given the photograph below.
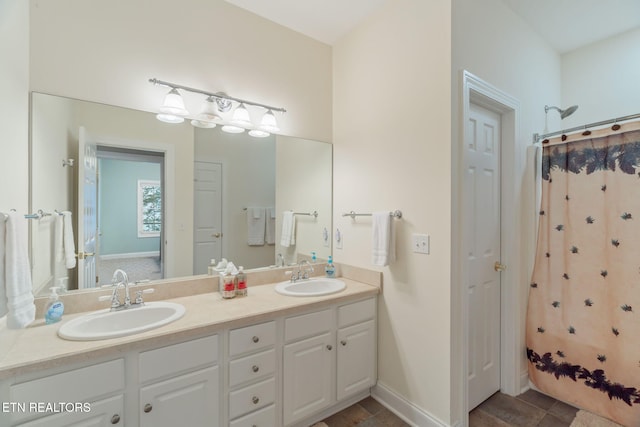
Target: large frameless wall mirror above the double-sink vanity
x=167 y=197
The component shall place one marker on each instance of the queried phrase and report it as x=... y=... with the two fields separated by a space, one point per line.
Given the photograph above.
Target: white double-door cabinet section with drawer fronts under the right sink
x=329 y=355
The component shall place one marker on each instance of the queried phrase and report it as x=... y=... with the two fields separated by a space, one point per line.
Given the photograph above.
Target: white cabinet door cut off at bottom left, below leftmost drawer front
x=103 y=413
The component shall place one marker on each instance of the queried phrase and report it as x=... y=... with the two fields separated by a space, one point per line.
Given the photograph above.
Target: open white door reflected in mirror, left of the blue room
x=87 y=210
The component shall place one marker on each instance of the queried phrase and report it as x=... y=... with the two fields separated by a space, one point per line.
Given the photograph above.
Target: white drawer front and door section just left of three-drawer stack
x=180 y=385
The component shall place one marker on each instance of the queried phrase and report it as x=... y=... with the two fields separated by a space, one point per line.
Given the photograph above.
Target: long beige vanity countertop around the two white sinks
x=39 y=347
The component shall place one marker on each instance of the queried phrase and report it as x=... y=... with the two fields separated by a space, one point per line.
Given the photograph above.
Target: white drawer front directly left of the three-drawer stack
x=175 y=358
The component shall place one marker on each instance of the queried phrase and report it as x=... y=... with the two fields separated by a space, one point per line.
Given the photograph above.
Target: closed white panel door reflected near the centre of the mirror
x=207 y=215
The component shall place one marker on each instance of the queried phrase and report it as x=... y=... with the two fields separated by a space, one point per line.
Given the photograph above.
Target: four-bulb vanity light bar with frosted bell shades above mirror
x=173 y=110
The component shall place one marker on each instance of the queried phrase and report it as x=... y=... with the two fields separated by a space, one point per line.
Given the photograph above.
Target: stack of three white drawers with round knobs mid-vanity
x=252 y=370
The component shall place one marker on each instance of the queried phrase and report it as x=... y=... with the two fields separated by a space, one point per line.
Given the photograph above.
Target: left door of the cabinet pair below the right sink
x=309 y=372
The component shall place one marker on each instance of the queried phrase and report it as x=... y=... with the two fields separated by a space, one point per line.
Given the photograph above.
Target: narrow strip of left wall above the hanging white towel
x=14 y=105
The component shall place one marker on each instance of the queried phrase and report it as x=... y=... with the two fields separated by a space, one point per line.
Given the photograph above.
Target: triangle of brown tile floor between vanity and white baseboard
x=366 y=413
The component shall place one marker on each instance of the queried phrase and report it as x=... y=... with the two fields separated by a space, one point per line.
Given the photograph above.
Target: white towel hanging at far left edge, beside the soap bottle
x=18 y=296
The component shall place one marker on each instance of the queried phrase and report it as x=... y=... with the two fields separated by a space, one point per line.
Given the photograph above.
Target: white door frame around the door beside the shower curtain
x=477 y=91
